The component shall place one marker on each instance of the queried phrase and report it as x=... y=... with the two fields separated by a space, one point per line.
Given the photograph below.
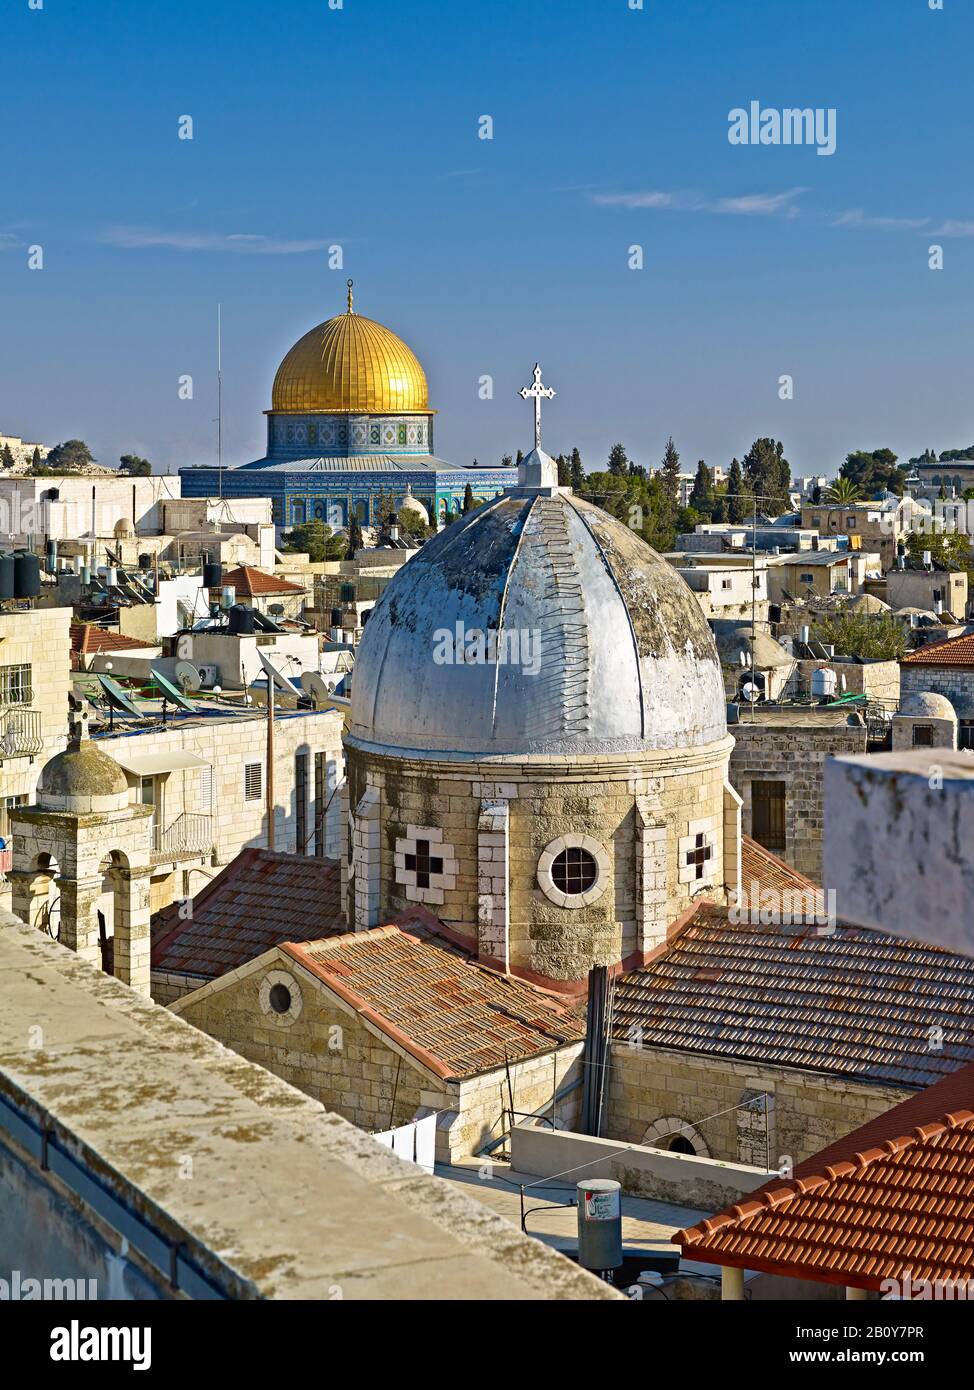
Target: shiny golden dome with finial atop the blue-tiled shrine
x=351 y=365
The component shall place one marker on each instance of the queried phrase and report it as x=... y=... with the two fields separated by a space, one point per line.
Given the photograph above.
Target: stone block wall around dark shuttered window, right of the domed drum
x=794 y=754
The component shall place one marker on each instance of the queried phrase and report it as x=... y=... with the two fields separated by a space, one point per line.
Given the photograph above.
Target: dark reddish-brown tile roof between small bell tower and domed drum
x=256 y=903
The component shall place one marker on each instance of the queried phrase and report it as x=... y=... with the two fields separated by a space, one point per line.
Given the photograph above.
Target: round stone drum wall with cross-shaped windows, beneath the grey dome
x=548 y=801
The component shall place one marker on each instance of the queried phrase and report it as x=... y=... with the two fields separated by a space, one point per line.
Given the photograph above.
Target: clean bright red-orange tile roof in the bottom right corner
x=890 y=1200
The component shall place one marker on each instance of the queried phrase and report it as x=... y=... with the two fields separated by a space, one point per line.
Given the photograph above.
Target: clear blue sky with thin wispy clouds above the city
x=361 y=127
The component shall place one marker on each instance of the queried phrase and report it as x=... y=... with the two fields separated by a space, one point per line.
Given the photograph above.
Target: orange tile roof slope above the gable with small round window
x=454 y=1015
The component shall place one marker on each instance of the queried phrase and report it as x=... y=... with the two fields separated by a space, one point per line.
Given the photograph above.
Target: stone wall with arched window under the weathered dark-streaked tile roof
x=807 y=1111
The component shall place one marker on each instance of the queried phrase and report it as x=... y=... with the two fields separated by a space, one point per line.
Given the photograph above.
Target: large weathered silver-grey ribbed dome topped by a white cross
x=626 y=660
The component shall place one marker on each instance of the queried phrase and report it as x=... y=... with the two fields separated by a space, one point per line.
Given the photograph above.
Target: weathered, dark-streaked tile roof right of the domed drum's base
x=850 y=1003
